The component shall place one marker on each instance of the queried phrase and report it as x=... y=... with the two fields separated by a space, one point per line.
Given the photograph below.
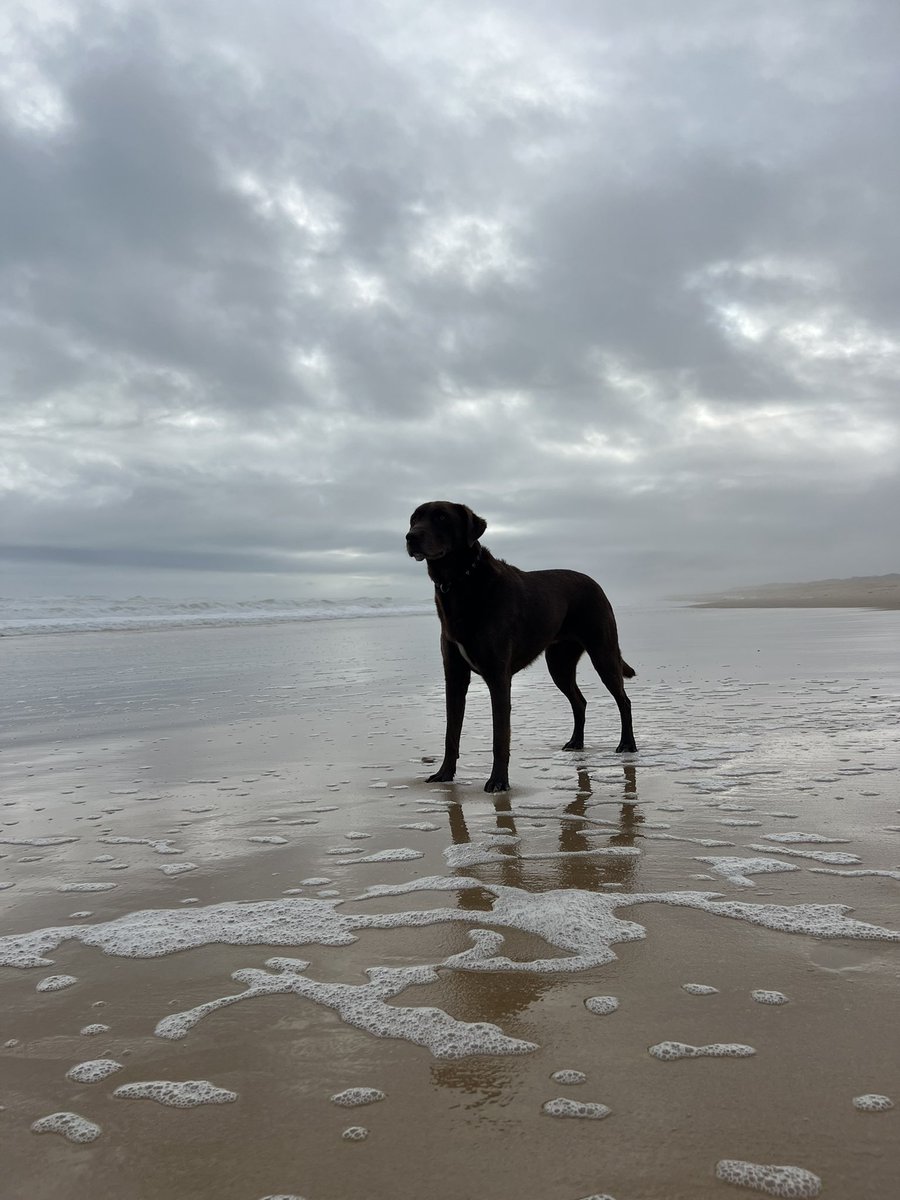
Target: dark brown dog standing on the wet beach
x=496 y=620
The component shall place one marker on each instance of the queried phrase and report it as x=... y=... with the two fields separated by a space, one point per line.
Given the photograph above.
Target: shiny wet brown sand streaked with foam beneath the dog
x=256 y=754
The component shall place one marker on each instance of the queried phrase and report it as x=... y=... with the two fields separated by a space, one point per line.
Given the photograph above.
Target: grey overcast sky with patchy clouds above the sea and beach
x=622 y=275
